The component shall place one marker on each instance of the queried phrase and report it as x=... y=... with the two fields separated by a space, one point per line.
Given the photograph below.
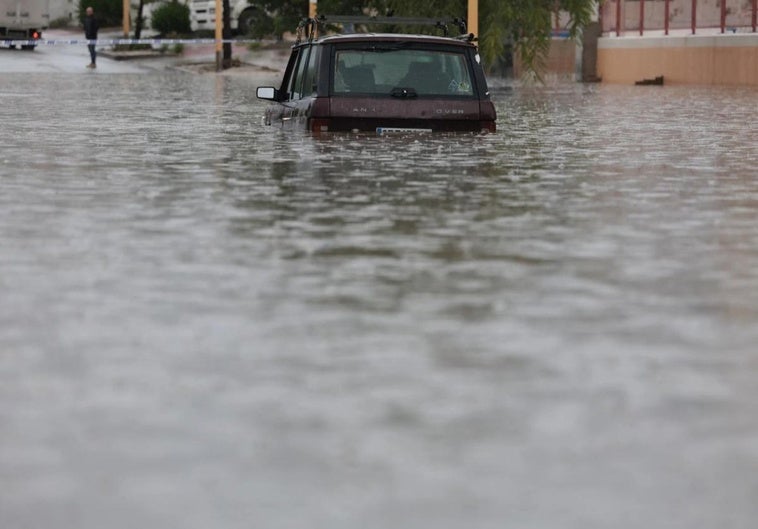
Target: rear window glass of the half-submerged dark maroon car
x=379 y=71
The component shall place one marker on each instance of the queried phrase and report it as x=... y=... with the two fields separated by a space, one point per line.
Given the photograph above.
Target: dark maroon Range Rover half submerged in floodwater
x=382 y=82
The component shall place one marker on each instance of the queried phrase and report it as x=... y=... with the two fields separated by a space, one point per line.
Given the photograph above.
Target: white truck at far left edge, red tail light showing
x=23 y=20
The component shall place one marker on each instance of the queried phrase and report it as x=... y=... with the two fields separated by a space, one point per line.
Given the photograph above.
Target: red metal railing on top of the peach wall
x=641 y=16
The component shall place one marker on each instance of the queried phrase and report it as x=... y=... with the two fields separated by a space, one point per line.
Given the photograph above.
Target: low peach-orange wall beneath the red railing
x=694 y=59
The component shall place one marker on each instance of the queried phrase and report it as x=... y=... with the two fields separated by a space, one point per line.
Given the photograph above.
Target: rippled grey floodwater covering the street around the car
x=206 y=322
